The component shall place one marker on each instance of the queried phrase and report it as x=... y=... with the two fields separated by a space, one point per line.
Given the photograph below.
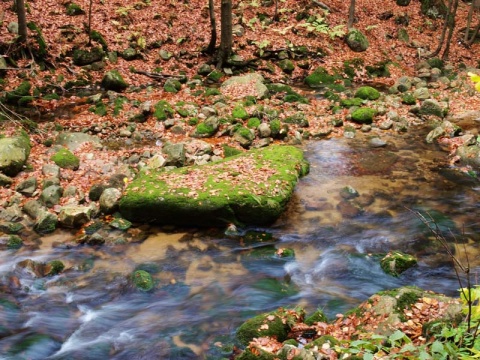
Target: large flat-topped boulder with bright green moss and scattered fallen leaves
x=251 y=188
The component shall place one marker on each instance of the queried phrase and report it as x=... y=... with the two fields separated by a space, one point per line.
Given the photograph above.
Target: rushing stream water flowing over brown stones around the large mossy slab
x=207 y=283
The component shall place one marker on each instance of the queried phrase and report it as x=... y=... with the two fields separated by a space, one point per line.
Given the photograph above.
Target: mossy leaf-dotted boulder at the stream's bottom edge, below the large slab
x=274 y=324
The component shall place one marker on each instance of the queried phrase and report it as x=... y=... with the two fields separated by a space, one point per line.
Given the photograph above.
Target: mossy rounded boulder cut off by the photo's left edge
x=14 y=152
